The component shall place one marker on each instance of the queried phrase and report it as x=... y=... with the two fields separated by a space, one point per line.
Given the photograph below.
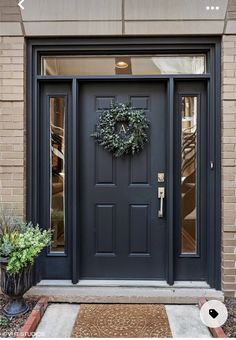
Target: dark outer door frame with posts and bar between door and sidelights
x=135 y=45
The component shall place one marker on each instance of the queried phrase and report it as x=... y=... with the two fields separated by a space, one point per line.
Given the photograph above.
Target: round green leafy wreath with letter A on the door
x=122 y=129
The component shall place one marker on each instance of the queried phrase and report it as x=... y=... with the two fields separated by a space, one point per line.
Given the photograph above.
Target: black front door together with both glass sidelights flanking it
x=105 y=211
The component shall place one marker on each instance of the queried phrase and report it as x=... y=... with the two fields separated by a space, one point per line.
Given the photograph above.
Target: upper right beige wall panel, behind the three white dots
x=173 y=10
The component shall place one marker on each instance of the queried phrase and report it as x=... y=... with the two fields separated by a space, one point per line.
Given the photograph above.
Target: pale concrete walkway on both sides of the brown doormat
x=59 y=319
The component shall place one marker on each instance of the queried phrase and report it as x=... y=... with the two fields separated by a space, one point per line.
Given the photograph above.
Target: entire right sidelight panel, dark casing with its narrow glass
x=190 y=180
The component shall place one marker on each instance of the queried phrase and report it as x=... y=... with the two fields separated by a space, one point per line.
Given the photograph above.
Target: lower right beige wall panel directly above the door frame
x=174 y=27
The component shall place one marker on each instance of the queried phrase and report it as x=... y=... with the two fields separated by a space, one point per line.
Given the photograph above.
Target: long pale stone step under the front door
x=124 y=294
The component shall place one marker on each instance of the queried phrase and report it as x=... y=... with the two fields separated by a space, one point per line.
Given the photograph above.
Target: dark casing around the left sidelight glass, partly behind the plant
x=53 y=265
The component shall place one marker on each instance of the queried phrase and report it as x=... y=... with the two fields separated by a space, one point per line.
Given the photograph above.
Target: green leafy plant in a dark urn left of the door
x=20 y=244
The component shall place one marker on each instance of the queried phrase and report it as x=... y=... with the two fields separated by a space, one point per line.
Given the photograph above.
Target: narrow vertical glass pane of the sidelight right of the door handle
x=189 y=175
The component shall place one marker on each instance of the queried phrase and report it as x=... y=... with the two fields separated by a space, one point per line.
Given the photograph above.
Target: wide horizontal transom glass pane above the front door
x=134 y=65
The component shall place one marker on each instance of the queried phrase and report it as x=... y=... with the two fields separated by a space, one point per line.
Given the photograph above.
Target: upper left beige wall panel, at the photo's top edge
x=60 y=10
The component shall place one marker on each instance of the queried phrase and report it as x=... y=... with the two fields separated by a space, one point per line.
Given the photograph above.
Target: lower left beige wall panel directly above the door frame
x=73 y=28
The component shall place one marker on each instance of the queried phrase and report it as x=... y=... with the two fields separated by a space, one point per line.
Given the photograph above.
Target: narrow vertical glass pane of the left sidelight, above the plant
x=57 y=116
